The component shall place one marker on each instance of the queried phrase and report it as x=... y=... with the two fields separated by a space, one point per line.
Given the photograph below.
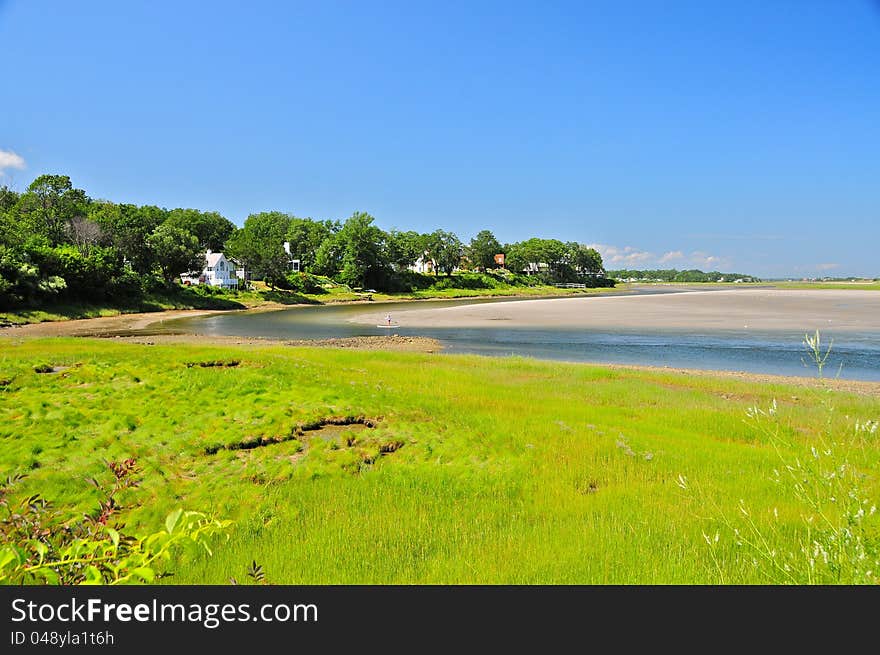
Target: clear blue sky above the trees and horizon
x=726 y=135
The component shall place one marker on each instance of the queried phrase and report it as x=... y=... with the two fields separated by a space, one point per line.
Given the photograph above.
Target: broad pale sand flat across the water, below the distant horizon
x=729 y=309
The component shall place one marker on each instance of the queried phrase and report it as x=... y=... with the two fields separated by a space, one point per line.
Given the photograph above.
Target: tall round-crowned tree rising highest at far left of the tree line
x=50 y=204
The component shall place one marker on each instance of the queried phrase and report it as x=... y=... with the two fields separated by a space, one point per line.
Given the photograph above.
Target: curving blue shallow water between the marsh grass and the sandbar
x=853 y=356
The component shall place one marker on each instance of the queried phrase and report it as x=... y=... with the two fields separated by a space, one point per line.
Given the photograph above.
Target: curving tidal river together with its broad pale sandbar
x=753 y=330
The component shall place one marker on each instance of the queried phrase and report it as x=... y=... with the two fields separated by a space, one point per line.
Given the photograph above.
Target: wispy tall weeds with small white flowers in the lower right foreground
x=836 y=541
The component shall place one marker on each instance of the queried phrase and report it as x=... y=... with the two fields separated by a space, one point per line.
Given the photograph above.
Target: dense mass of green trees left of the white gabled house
x=58 y=246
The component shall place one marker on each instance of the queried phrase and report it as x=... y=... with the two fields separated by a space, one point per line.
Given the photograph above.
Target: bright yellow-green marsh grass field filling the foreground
x=475 y=470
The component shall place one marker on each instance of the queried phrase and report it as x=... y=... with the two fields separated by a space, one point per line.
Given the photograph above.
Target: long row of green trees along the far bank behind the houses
x=57 y=243
